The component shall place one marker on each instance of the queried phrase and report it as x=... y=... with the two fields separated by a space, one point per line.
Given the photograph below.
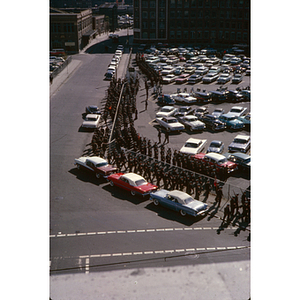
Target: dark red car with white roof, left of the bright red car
x=97 y=165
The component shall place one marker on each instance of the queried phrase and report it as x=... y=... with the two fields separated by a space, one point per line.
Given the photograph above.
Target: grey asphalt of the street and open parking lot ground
x=95 y=227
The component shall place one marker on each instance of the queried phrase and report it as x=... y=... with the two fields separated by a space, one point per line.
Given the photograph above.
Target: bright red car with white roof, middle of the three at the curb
x=132 y=182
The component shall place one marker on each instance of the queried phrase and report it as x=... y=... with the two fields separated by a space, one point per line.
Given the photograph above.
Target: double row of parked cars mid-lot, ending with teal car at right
x=175 y=119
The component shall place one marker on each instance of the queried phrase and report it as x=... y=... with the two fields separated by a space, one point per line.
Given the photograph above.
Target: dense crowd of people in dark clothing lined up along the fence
x=120 y=143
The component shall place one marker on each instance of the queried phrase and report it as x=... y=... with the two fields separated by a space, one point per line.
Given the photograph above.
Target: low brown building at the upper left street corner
x=71 y=29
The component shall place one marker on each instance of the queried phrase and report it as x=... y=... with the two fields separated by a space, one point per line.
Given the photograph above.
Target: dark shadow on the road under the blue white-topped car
x=173 y=215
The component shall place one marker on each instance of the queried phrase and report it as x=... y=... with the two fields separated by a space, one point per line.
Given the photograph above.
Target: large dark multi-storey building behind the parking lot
x=205 y=22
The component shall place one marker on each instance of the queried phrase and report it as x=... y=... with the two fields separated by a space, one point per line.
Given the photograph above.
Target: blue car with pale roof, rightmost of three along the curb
x=179 y=201
